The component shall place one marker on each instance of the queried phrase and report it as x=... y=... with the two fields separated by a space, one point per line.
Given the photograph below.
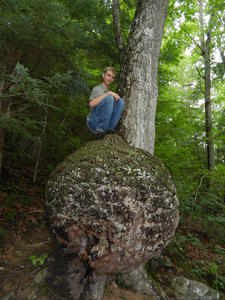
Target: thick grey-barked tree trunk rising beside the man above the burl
x=138 y=77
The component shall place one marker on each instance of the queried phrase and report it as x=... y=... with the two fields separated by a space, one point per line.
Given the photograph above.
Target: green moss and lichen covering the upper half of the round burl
x=106 y=170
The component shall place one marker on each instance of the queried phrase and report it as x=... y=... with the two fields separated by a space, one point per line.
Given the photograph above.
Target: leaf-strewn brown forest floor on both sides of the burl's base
x=27 y=246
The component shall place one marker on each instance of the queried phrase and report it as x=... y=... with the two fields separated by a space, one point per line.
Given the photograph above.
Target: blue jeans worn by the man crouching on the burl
x=106 y=114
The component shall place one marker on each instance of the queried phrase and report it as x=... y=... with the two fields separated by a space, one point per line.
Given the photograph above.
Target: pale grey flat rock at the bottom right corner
x=185 y=289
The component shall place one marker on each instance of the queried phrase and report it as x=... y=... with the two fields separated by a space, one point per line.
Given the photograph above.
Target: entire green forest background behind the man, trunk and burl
x=52 y=54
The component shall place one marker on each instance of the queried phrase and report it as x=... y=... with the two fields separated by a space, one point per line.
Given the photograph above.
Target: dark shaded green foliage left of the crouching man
x=53 y=37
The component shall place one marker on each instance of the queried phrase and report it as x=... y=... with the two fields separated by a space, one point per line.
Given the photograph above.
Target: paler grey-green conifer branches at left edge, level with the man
x=26 y=95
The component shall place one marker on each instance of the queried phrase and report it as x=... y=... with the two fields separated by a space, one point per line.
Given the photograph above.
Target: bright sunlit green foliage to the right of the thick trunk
x=180 y=120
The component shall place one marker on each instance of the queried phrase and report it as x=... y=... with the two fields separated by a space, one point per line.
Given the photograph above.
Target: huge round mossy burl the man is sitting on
x=112 y=205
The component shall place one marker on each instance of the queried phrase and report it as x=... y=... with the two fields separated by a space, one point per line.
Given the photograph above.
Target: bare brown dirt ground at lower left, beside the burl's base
x=21 y=279
